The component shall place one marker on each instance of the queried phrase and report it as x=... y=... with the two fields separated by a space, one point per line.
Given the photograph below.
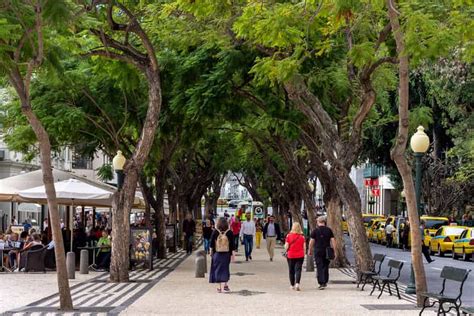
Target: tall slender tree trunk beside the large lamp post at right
x=398 y=154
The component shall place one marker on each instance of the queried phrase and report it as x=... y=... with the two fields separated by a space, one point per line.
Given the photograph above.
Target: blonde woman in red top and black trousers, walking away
x=296 y=248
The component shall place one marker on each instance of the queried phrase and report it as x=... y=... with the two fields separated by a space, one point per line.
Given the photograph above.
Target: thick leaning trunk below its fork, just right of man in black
x=350 y=197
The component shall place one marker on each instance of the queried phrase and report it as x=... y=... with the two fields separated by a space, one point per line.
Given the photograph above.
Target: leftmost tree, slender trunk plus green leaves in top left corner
x=24 y=45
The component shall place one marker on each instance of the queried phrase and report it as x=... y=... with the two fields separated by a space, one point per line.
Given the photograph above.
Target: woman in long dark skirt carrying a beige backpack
x=222 y=252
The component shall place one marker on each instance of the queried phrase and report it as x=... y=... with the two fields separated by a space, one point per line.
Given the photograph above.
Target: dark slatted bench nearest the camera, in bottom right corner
x=451 y=274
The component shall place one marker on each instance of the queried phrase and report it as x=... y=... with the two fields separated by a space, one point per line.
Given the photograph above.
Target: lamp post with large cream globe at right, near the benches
x=419 y=143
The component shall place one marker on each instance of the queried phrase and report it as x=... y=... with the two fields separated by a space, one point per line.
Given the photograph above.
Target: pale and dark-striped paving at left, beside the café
x=94 y=296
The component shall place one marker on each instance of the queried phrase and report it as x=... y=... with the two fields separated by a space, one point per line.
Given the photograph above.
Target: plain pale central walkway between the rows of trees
x=261 y=287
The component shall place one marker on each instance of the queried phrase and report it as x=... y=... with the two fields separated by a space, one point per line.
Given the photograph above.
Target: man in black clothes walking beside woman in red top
x=322 y=238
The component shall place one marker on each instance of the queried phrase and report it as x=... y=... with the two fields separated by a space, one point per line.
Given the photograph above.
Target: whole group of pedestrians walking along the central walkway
x=222 y=241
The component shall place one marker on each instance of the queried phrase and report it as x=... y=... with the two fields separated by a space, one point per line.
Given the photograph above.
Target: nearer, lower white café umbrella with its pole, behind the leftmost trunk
x=71 y=192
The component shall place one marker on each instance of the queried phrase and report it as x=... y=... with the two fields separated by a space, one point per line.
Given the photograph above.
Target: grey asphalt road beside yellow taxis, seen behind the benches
x=432 y=270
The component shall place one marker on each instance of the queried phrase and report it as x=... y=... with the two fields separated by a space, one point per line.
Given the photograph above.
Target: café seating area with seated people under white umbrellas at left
x=28 y=247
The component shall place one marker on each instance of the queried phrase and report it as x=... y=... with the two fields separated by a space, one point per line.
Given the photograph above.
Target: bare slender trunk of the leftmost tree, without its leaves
x=65 y=300
